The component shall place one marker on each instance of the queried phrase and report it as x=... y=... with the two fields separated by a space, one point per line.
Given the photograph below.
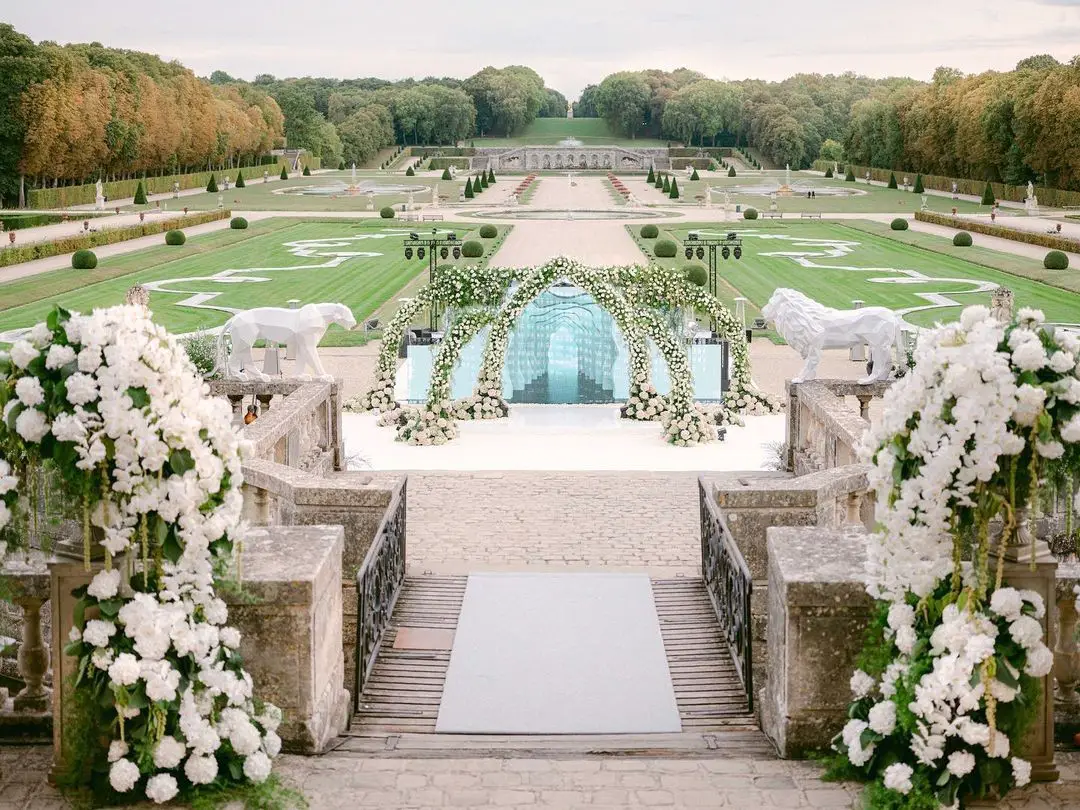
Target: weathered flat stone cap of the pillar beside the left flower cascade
x=282 y=563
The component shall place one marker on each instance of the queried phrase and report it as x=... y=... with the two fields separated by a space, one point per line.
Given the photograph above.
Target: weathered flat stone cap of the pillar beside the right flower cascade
x=819 y=568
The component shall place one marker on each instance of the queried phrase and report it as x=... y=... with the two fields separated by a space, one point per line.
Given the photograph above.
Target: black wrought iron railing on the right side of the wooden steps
x=728 y=584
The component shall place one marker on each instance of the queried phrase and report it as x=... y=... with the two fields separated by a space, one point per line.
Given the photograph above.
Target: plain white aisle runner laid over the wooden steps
x=559 y=654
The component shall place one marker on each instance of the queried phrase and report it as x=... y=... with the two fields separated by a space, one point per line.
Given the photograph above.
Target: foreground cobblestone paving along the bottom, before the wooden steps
x=340 y=784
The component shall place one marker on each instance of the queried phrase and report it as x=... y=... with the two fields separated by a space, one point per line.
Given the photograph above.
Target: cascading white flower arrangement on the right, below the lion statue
x=951 y=677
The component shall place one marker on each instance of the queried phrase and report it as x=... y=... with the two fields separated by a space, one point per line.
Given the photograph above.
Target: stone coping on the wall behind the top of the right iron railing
x=790 y=492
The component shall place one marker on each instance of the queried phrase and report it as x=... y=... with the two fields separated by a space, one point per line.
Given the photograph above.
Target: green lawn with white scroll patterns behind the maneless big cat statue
x=266 y=273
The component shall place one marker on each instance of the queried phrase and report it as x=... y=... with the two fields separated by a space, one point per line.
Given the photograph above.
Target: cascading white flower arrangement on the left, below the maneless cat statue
x=113 y=406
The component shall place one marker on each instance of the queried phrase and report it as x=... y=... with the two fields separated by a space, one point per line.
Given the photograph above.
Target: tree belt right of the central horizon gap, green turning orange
x=1004 y=127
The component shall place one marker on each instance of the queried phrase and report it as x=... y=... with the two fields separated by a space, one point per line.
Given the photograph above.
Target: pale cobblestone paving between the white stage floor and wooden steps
x=488 y=521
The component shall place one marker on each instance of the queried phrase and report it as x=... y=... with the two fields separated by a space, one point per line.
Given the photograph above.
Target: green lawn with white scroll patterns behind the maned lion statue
x=873 y=256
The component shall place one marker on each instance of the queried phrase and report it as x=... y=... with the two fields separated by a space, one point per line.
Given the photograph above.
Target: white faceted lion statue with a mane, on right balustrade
x=809 y=328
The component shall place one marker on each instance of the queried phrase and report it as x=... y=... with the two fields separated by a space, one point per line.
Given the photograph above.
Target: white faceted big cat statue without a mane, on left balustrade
x=305 y=327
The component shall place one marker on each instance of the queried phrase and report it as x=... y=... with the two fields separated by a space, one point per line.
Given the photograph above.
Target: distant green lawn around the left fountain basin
x=260 y=196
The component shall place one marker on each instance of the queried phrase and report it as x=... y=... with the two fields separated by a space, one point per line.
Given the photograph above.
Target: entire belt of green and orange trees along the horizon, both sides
x=76 y=113
